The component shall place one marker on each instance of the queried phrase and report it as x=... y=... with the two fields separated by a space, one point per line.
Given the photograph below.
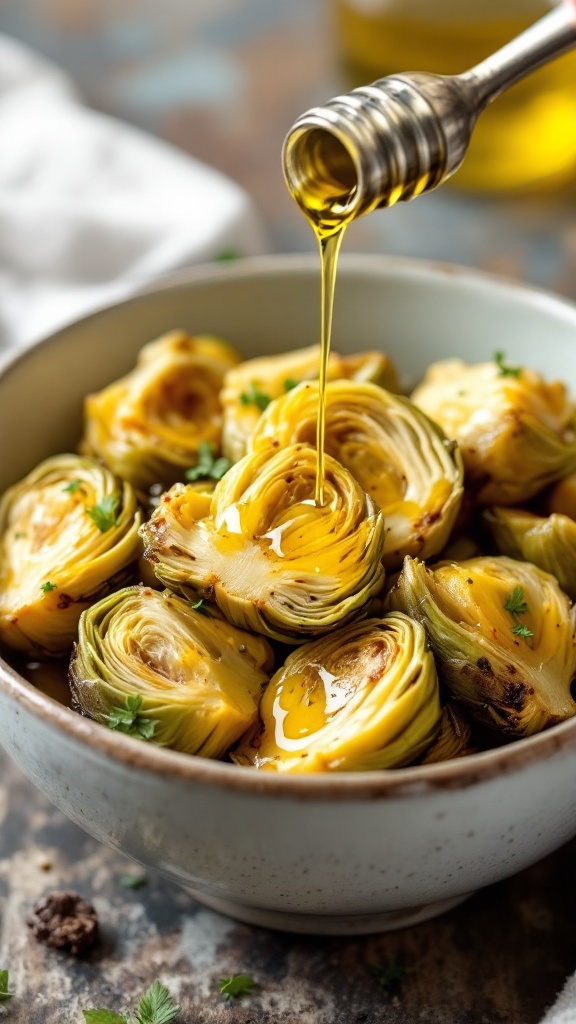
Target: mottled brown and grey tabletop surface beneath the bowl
x=225 y=81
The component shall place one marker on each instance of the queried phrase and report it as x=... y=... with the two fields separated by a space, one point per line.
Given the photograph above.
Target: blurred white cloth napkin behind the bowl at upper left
x=92 y=208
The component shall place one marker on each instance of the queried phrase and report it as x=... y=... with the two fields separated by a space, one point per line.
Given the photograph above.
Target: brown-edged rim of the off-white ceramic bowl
x=459 y=775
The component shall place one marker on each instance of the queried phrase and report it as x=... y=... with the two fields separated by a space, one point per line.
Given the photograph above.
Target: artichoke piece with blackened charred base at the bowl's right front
x=504 y=636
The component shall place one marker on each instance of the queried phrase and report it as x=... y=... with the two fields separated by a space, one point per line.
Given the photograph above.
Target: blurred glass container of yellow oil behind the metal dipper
x=527 y=138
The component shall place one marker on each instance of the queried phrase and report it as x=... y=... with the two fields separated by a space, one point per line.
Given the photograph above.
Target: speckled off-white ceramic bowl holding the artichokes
x=347 y=854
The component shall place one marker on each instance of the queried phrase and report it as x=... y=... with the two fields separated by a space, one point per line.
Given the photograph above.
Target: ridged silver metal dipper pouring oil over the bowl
x=405 y=135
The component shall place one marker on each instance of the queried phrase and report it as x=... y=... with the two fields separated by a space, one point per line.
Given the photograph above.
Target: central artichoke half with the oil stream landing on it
x=271 y=560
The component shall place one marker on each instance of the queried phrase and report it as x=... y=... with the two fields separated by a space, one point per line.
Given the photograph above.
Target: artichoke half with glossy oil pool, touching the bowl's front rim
x=365 y=698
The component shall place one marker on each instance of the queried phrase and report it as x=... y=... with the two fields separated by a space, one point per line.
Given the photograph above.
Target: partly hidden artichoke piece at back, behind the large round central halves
x=250 y=388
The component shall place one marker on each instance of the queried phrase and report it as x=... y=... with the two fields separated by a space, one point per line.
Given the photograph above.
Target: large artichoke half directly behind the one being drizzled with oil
x=395 y=452
